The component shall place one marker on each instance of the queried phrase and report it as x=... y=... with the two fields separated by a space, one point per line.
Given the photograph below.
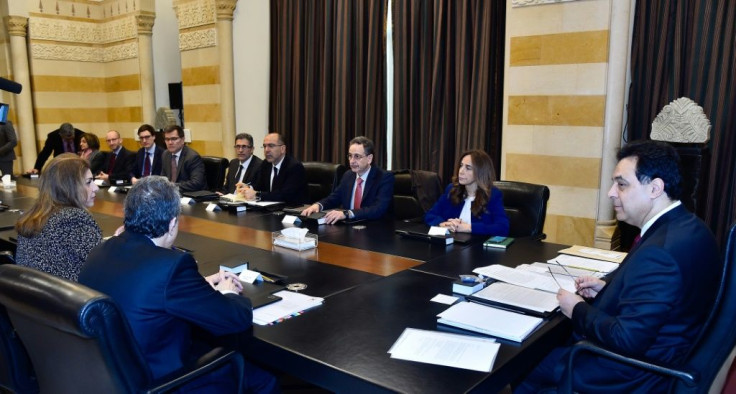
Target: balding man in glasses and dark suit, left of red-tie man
x=281 y=178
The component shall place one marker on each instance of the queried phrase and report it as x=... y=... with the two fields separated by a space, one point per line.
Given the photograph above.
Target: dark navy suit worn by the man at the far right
x=653 y=306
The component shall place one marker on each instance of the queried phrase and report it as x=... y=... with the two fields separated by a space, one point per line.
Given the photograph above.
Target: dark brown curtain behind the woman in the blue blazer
x=448 y=82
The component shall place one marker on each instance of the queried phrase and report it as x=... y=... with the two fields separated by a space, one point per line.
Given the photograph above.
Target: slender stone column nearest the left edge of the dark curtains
x=224 y=26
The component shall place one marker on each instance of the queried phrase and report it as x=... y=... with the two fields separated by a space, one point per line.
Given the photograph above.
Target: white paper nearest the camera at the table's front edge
x=440 y=348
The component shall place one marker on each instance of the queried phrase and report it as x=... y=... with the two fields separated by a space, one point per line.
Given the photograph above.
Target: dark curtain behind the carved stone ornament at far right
x=688 y=48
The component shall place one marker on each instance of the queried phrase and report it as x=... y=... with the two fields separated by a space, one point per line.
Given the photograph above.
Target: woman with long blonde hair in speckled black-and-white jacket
x=57 y=232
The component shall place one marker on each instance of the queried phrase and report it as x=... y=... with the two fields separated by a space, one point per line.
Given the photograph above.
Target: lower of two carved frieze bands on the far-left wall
x=84 y=53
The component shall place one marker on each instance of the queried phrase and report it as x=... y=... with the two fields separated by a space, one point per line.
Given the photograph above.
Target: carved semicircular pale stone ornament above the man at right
x=682 y=120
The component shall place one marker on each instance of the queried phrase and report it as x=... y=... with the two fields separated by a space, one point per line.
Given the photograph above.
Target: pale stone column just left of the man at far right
x=606 y=231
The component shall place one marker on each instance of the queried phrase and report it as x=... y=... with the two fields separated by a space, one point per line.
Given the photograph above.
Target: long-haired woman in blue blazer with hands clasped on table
x=470 y=203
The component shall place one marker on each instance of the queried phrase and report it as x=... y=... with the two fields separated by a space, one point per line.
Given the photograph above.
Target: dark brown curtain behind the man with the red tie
x=328 y=76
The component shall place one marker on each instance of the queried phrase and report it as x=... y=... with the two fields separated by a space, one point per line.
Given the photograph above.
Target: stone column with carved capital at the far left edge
x=26 y=125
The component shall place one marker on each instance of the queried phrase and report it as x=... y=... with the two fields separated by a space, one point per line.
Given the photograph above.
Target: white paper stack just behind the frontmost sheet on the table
x=491 y=321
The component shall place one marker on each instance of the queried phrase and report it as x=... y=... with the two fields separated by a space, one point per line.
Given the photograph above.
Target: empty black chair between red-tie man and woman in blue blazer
x=415 y=192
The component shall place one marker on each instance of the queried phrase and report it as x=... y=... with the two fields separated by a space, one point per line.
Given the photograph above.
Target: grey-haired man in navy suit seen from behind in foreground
x=162 y=294
